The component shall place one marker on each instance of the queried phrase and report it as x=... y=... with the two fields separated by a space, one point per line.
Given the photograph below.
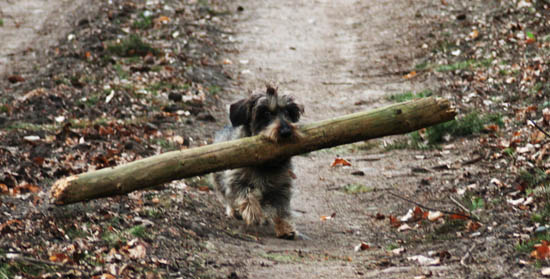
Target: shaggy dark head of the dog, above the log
x=268 y=114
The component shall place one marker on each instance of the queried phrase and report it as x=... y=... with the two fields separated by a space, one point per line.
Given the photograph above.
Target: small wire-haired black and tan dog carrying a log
x=262 y=191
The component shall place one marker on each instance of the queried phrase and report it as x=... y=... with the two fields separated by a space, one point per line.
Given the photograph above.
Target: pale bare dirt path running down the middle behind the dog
x=336 y=57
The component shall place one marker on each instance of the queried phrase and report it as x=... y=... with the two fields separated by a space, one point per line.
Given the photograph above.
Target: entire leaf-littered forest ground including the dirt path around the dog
x=97 y=85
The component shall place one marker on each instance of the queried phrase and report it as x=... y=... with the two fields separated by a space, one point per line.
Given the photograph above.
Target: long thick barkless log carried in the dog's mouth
x=391 y=120
